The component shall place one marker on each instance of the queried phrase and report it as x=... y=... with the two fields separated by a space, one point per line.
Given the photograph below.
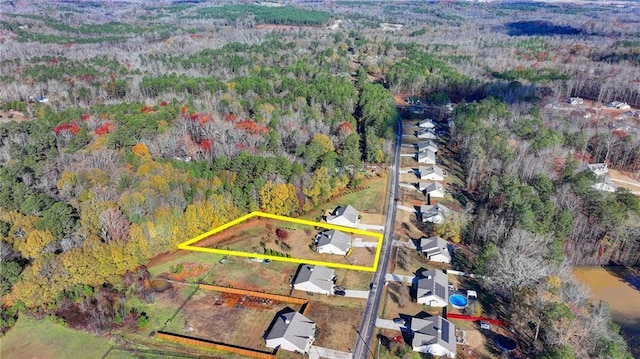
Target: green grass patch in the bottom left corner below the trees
x=45 y=339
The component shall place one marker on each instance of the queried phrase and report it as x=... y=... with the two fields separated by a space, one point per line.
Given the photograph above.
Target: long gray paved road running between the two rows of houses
x=365 y=333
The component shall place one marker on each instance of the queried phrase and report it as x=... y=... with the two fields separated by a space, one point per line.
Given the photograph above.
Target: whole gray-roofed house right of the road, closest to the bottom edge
x=434 y=335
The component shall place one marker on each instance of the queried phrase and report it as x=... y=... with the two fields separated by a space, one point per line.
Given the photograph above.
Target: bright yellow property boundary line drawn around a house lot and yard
x=188 y=245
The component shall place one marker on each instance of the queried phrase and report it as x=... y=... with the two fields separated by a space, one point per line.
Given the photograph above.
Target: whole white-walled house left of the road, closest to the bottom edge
x=291 y=331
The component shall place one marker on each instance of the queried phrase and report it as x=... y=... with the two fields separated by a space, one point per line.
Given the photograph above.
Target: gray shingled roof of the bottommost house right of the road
x=433 y=330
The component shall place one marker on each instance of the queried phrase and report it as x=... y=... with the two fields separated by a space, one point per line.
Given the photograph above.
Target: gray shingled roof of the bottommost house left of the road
x=293 y=327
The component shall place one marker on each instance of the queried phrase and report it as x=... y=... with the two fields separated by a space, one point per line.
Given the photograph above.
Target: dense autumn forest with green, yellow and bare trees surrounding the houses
x=181 y=118
